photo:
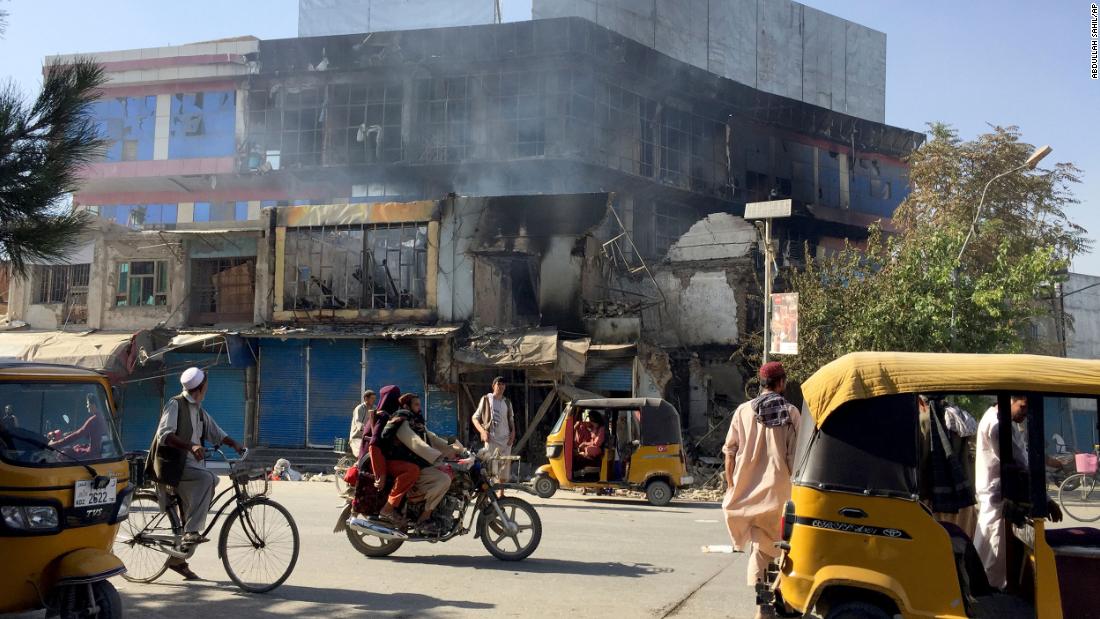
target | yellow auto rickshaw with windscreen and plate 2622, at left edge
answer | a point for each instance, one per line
(64, 488)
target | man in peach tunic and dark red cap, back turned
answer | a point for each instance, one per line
(760, 455)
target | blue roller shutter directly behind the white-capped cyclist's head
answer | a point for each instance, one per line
(225, 400)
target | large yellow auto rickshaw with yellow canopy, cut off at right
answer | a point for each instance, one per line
(861, 537)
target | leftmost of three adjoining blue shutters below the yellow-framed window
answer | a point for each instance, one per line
(283, 393)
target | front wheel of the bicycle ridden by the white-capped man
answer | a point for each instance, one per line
(259, 546)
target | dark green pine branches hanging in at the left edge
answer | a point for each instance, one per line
(43, 147)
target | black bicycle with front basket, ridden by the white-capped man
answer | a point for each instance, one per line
(258, 544)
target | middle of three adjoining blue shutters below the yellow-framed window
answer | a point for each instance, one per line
(336, 377)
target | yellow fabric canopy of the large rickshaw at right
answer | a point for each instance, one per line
(865, 375)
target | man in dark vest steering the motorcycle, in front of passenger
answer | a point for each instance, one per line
(408, 439)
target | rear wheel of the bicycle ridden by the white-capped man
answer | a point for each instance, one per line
(145, 563)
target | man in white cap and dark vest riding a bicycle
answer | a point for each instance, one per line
(184, 426)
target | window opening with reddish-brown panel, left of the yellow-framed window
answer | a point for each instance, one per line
(223, 290)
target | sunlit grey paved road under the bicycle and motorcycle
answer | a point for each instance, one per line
(599, 556)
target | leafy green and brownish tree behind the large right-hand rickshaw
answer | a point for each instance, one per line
(905, 291)
